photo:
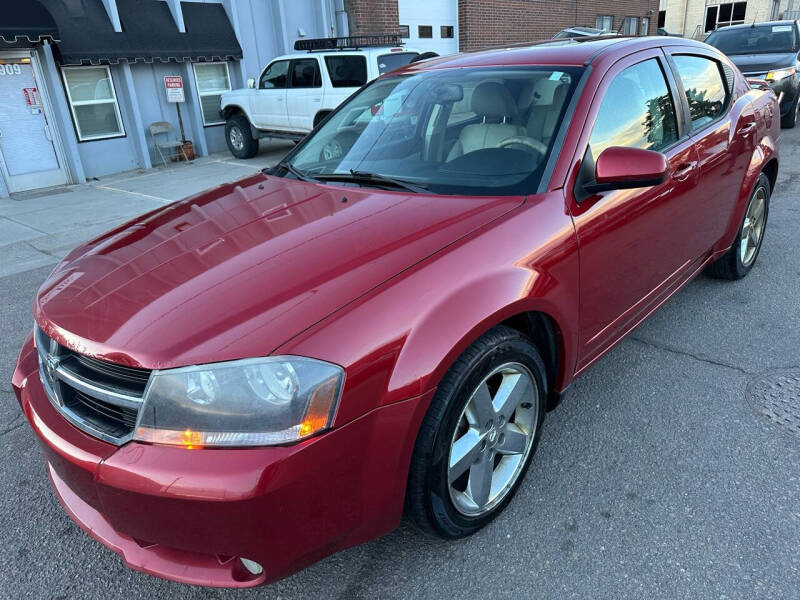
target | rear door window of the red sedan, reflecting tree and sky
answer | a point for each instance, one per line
(705, 89)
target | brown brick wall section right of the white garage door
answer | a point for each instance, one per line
(487, 23)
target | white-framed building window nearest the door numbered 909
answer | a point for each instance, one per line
(93, 103)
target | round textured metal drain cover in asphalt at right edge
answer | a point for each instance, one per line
(776, 395)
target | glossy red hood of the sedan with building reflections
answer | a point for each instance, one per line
(240, 269)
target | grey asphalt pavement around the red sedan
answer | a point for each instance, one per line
(656, 478)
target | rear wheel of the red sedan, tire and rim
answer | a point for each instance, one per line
(740, 258)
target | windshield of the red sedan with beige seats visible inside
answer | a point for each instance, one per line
(481, 131)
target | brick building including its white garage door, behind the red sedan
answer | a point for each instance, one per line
(473, 24)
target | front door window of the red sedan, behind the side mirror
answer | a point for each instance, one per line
(636, 111)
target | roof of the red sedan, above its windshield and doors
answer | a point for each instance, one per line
(564, 52)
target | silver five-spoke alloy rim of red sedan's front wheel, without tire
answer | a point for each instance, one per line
(493, 439)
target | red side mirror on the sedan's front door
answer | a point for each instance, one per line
(619, 168)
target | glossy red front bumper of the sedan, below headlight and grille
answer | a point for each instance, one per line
(189, 515)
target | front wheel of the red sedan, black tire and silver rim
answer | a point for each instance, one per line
(478, 436)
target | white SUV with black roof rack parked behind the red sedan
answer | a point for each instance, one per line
(296, 91)
